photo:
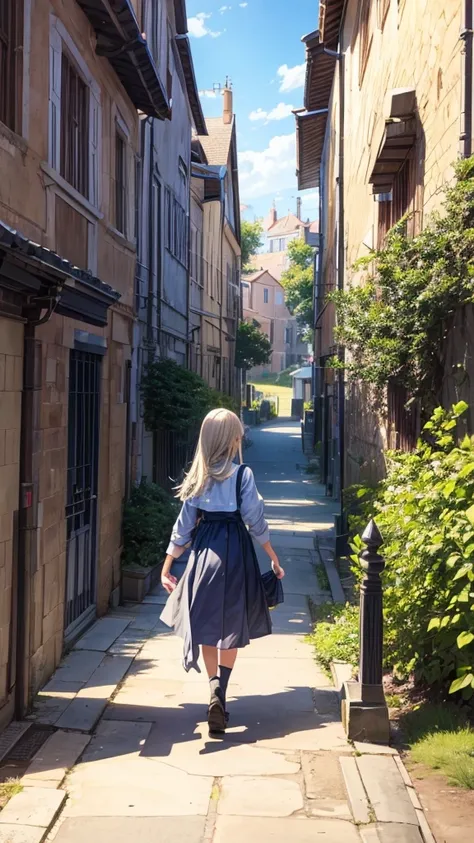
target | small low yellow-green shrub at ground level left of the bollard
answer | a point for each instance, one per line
(336, 636)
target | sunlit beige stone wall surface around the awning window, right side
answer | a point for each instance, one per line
(418, 46)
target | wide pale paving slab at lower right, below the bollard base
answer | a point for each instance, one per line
(386, 790)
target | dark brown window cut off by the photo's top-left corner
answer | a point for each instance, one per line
(11, 40)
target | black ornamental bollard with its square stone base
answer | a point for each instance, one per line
(365, 712)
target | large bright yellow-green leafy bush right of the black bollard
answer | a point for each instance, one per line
(425, 512)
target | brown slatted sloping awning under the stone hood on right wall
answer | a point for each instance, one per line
(397, 143)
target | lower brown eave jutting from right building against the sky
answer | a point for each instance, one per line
(310, 135)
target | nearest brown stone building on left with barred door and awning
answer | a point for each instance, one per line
(69, 131)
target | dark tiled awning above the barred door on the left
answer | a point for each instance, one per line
(27, 267)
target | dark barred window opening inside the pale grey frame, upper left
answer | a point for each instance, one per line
(74, 127)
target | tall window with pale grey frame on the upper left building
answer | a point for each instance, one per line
(74, 115)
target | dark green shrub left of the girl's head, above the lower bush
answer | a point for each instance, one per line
(176, 399)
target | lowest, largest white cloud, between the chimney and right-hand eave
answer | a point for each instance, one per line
(260, 172)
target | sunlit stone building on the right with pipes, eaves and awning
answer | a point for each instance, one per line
(387, 112)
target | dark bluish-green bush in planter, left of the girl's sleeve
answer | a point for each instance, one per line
(148, 519)
